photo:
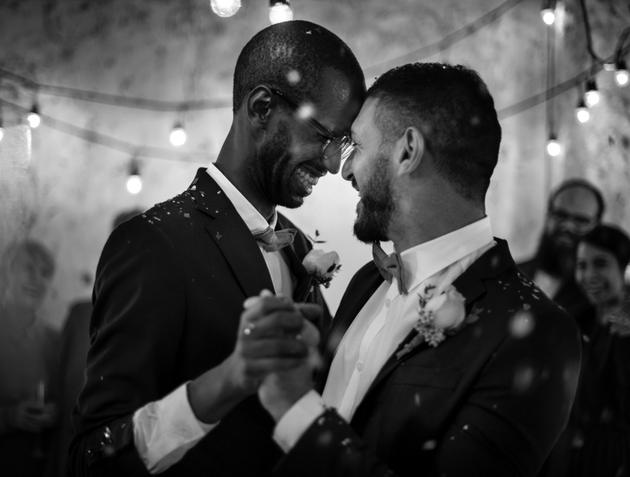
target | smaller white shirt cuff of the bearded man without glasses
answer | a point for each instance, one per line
(297, 419)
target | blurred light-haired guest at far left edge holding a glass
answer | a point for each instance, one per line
(28, 357)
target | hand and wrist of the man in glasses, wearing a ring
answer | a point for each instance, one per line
(268, 341)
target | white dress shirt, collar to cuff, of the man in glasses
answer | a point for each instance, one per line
(166, 429)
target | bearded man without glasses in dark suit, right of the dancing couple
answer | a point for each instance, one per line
(444, 360)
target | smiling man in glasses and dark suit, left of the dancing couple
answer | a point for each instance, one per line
(172, 373)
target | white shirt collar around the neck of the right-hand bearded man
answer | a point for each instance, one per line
(428, 258)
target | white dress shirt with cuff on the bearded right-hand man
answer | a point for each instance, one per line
(383, 322)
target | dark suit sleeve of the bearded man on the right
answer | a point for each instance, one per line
(506, 426)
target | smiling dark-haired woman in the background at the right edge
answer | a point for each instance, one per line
(597, 439)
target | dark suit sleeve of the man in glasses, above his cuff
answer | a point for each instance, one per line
(135, 329)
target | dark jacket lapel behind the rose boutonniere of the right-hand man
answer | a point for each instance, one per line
(470, 285)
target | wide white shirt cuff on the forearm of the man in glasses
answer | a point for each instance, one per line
(165, 430)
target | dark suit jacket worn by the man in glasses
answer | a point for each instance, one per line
(168, 297)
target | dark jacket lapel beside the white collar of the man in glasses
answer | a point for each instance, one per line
(230, 234)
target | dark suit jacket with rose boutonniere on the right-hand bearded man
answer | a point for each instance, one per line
(488, 401)
